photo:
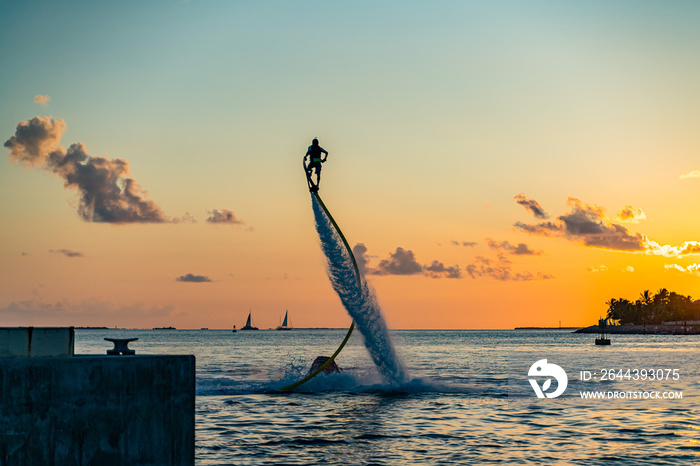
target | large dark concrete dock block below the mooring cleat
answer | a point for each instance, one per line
(97, 410)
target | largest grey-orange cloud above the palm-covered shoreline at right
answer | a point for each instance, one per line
(588, 223)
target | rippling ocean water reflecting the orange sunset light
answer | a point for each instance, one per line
(467, 398)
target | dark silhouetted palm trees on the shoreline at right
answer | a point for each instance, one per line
(650, 308)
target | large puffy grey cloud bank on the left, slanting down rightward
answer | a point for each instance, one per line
(107, 193)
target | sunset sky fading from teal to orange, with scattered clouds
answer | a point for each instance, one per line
(496, 164)
